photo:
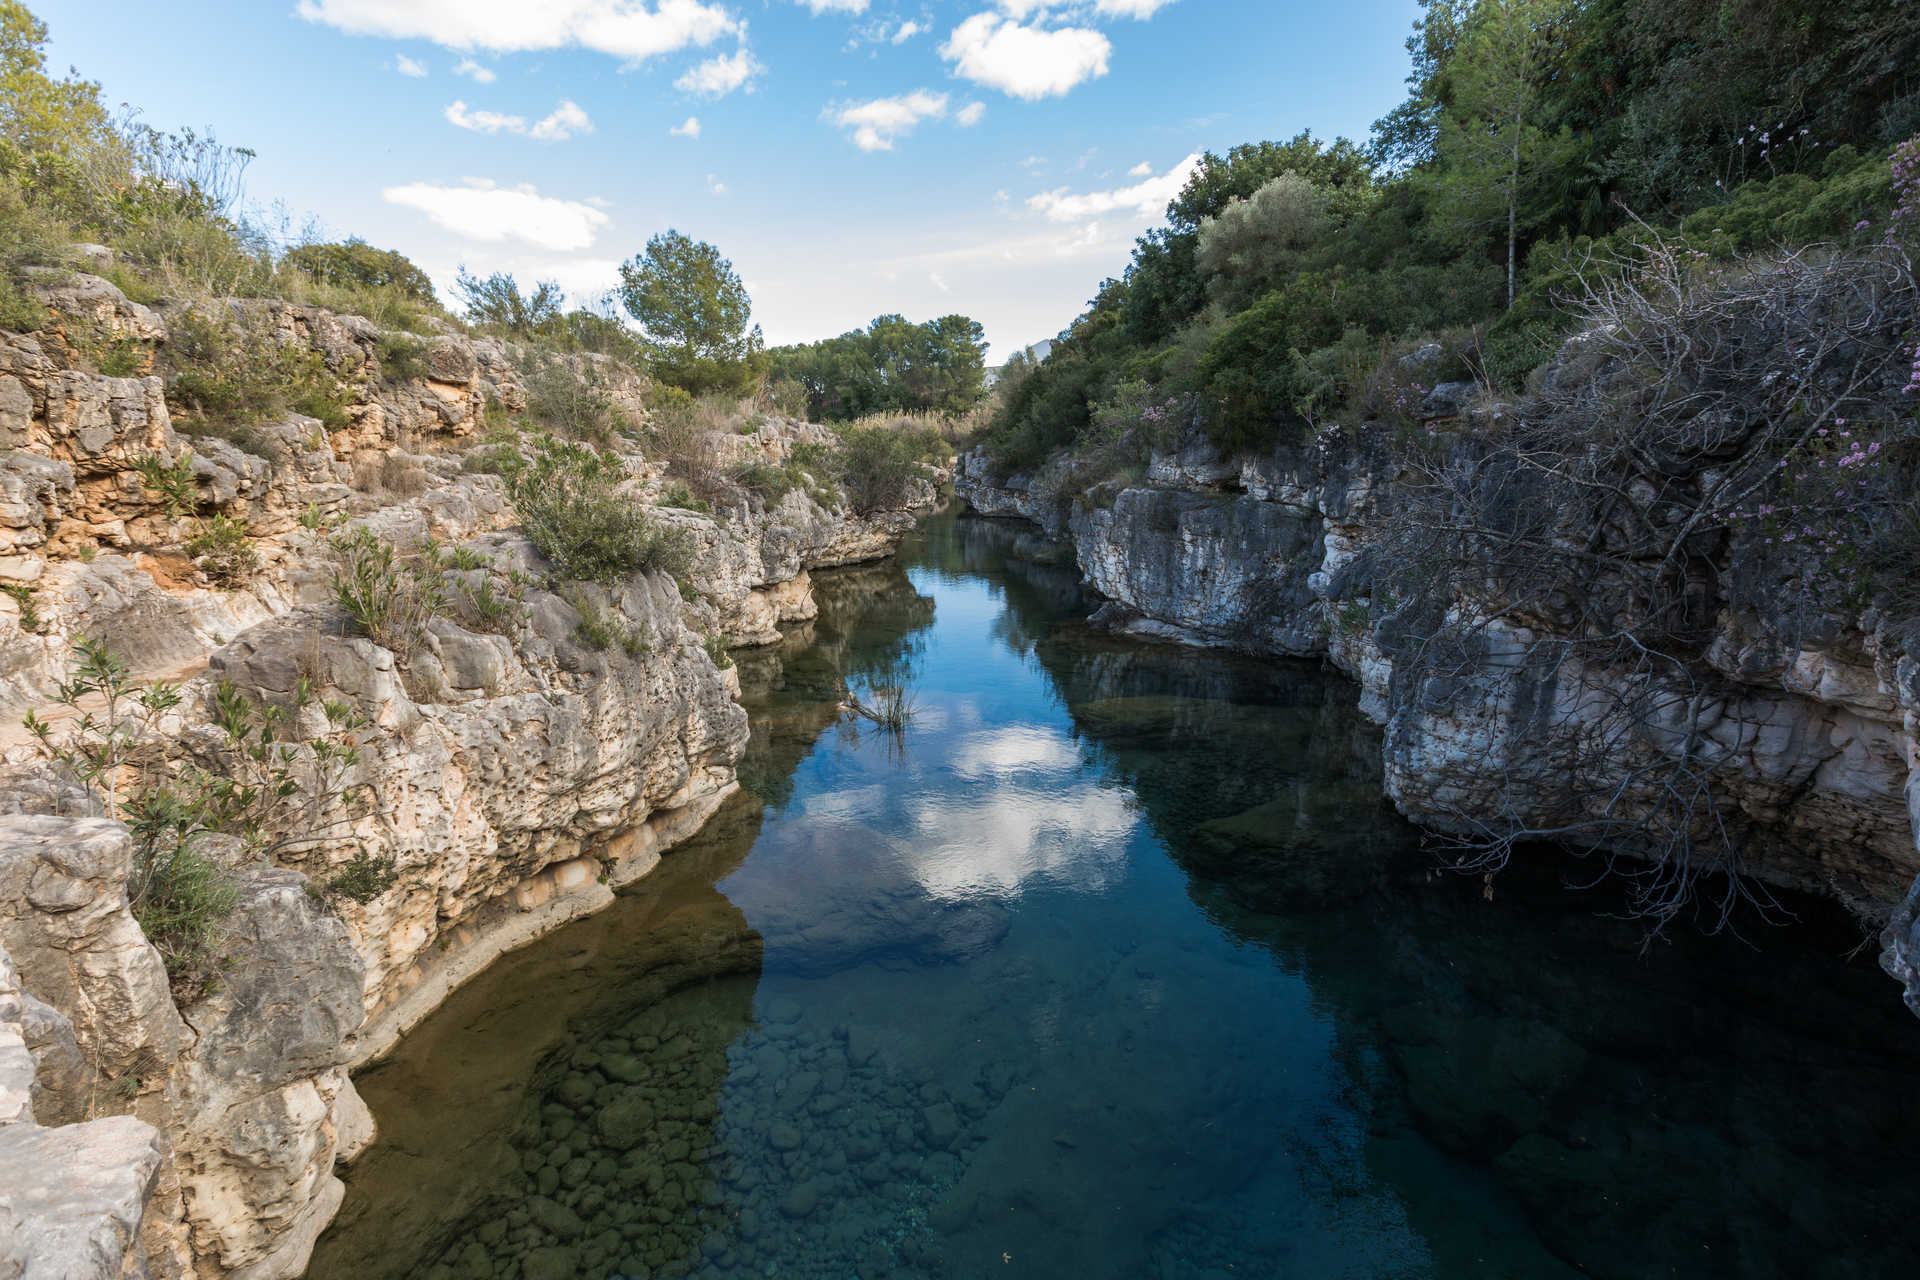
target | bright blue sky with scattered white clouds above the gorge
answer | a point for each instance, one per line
(852, 156)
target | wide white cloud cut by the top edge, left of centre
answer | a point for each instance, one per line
(627, 30)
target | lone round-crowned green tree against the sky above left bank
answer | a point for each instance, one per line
(694, 314)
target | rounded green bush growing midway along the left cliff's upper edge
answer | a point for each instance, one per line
(571, 508)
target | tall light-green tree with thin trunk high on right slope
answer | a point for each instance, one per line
(1493, 141)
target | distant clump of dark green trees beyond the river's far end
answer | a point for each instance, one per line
(888, 367)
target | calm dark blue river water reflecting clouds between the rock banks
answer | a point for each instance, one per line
(1120, 968)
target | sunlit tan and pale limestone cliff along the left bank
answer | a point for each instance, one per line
(514, 772)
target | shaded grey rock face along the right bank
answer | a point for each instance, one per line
(1817, 740)
